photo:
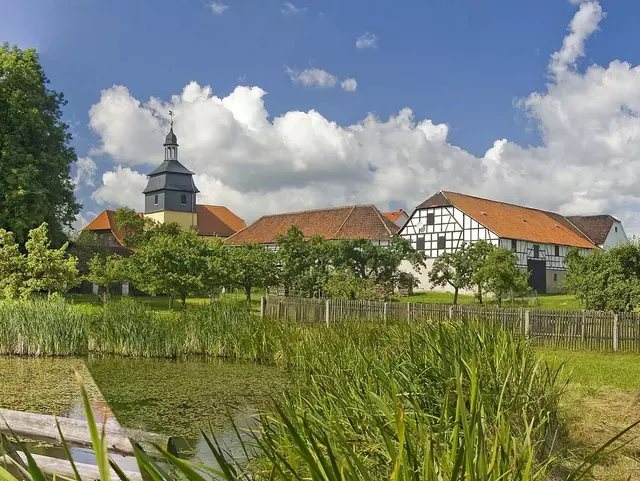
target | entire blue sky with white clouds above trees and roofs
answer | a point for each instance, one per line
(284, 106)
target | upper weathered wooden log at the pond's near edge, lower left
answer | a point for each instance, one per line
(43, 427)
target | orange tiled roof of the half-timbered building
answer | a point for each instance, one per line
(513, 221)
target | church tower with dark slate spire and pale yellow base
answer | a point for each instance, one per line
(170, 195)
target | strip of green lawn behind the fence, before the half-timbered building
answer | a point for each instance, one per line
(549, 301)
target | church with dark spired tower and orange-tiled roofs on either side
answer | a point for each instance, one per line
(170, 196)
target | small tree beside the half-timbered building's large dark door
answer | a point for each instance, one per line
(500, 274)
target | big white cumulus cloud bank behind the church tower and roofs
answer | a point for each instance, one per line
(588, 161)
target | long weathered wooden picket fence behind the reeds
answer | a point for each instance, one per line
(593, 330)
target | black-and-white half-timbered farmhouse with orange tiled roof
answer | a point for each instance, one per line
(540, 239)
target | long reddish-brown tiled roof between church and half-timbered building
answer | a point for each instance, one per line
(348, 222)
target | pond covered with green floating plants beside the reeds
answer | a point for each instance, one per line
(173, 398)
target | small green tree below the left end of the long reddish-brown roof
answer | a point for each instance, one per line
(252, 265)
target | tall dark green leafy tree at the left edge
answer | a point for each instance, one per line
(35, 156)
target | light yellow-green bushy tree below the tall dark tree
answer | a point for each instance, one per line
(47, 269)
